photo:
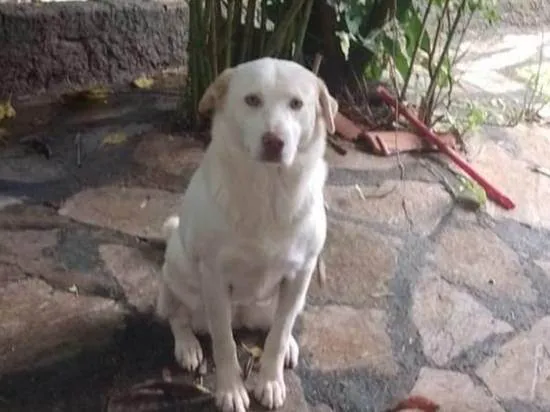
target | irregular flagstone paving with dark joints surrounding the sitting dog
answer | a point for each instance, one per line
(421, 296)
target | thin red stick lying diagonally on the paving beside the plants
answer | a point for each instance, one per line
(492, 192)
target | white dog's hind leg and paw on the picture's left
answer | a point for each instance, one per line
(187, 348)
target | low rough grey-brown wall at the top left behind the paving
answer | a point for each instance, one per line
(55, 46)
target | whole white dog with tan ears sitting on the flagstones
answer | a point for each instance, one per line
(252, 224)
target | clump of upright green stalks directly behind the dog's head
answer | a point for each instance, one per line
(210, 52)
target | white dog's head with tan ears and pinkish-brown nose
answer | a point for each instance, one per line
(275, 108)
